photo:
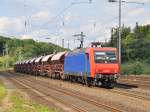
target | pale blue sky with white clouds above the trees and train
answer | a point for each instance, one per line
(61, 19)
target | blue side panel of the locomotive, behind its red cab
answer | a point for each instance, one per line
(77, 64)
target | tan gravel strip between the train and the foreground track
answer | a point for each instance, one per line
(127, 103)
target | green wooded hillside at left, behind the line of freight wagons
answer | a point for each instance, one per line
(27, 48)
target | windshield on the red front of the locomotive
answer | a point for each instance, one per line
(105, 57)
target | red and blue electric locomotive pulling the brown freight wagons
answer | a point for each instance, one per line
(94, 66)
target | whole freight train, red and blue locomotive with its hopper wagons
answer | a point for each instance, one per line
(92, 66)
